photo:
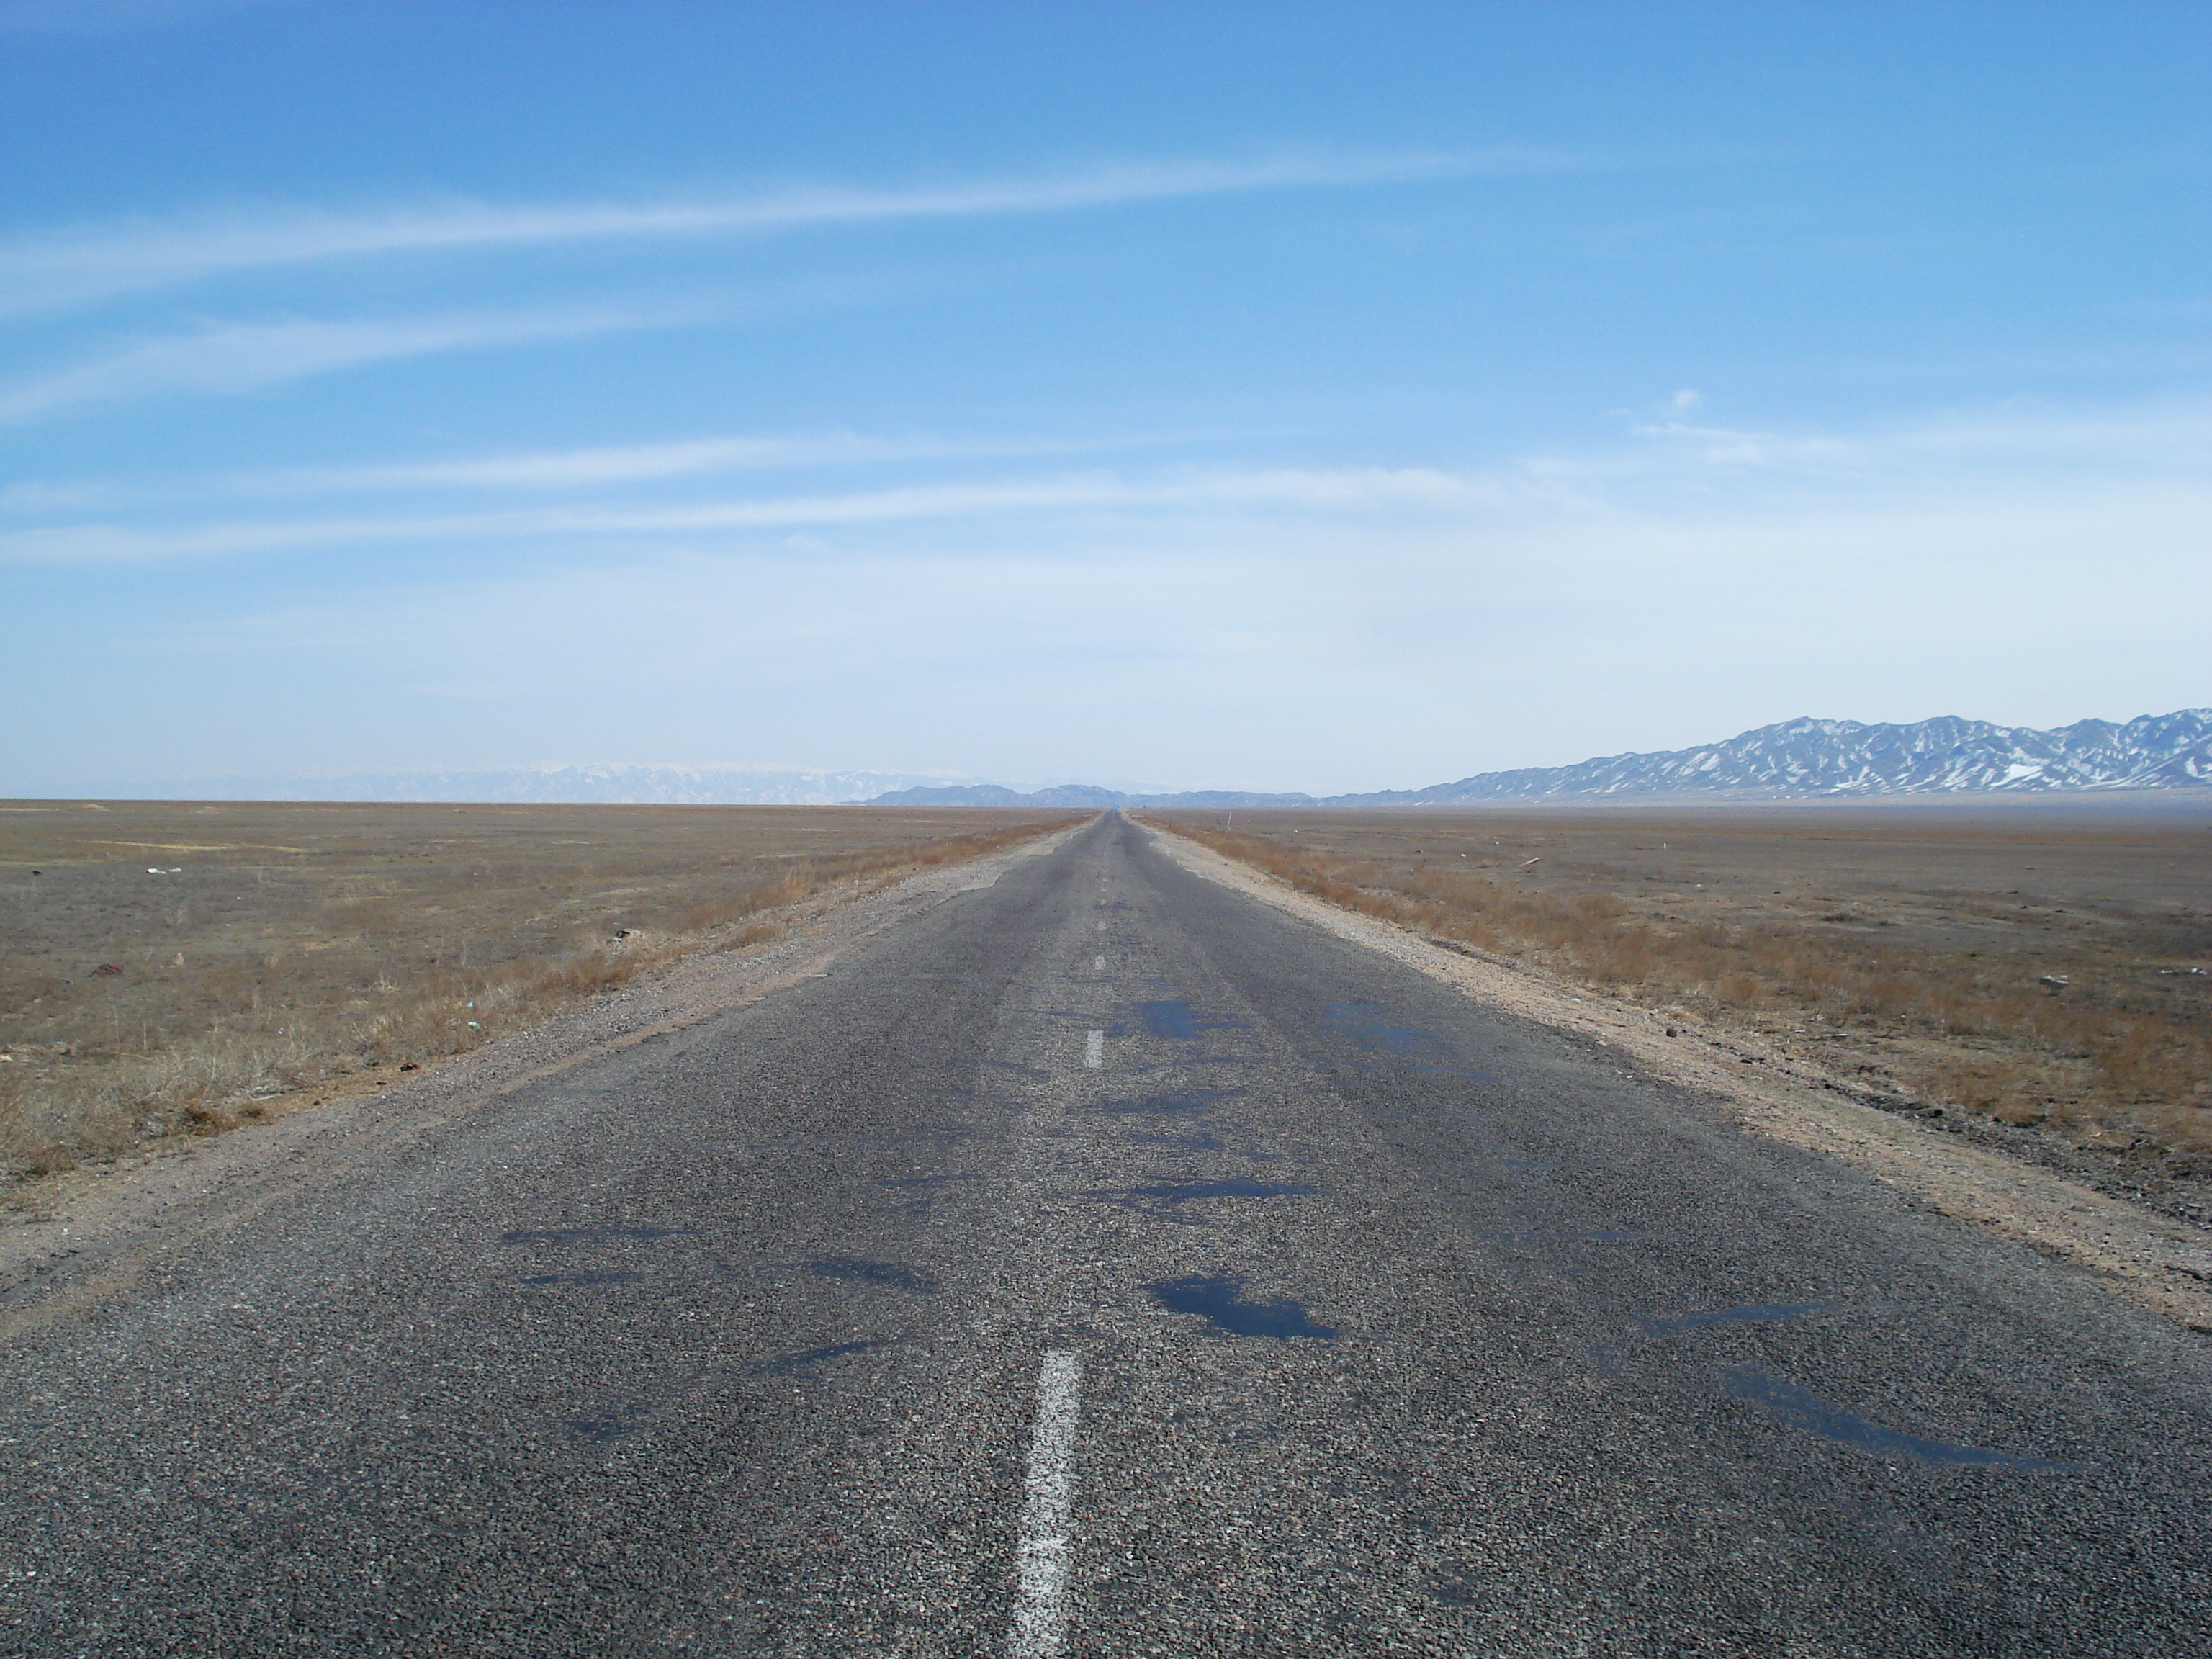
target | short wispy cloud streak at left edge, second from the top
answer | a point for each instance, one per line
(249, 357)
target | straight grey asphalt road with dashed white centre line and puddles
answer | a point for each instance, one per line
(1107, 1264)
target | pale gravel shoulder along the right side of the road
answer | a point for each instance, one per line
(2156, 1260)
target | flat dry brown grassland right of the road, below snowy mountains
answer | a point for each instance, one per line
(1903, 950)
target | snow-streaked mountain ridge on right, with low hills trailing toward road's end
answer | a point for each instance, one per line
(1804, 758)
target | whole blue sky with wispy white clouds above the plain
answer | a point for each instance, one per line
(1275, 397)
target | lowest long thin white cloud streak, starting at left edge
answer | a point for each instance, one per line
(1288, 490)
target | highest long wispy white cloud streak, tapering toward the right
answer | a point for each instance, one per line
(76, 267)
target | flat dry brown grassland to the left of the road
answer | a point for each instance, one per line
(295, 950)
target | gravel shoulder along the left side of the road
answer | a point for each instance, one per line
(98, 1231)
